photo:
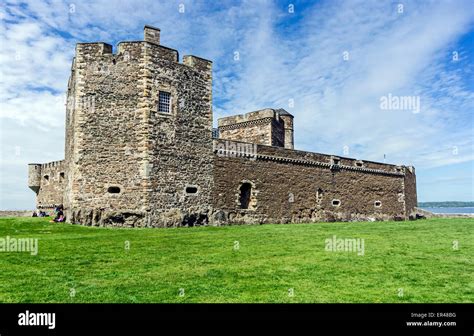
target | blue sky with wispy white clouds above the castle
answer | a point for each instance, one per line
(340, 67)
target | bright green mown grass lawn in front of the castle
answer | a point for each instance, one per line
(417, 257)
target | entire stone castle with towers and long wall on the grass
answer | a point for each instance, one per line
(141, 152)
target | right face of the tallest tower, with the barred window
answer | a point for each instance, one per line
(181, 156)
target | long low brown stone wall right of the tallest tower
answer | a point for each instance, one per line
(295, 186)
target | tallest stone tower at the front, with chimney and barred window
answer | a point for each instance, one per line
(138, 135)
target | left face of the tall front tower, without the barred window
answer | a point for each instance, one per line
(107, 134)
